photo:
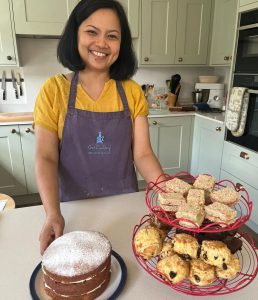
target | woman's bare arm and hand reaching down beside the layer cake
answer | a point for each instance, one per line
(47, 155)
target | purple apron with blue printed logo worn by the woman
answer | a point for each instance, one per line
(96, 151)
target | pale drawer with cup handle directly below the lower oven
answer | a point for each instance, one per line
(241, 162)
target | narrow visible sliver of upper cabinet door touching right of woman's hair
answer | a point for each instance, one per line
(132, 10)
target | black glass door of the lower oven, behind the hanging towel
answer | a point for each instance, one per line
(250, 137)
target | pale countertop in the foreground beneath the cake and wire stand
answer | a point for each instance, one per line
(19, 250)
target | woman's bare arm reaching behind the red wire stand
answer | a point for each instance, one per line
(144, 158)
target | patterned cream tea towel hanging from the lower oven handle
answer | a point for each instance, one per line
(234, 108)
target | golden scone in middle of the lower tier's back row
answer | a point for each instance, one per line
(185, 244)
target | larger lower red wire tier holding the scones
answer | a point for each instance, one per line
(248, 260)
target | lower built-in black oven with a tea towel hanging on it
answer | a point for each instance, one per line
(250, 137)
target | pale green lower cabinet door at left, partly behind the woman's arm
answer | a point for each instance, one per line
(28, 150)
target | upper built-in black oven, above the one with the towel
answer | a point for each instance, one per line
(247, 43)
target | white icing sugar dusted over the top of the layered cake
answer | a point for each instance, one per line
(76, 253)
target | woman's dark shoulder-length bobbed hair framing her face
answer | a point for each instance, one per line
(67, 51)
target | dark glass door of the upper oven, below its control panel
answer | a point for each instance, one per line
(247, 50)
